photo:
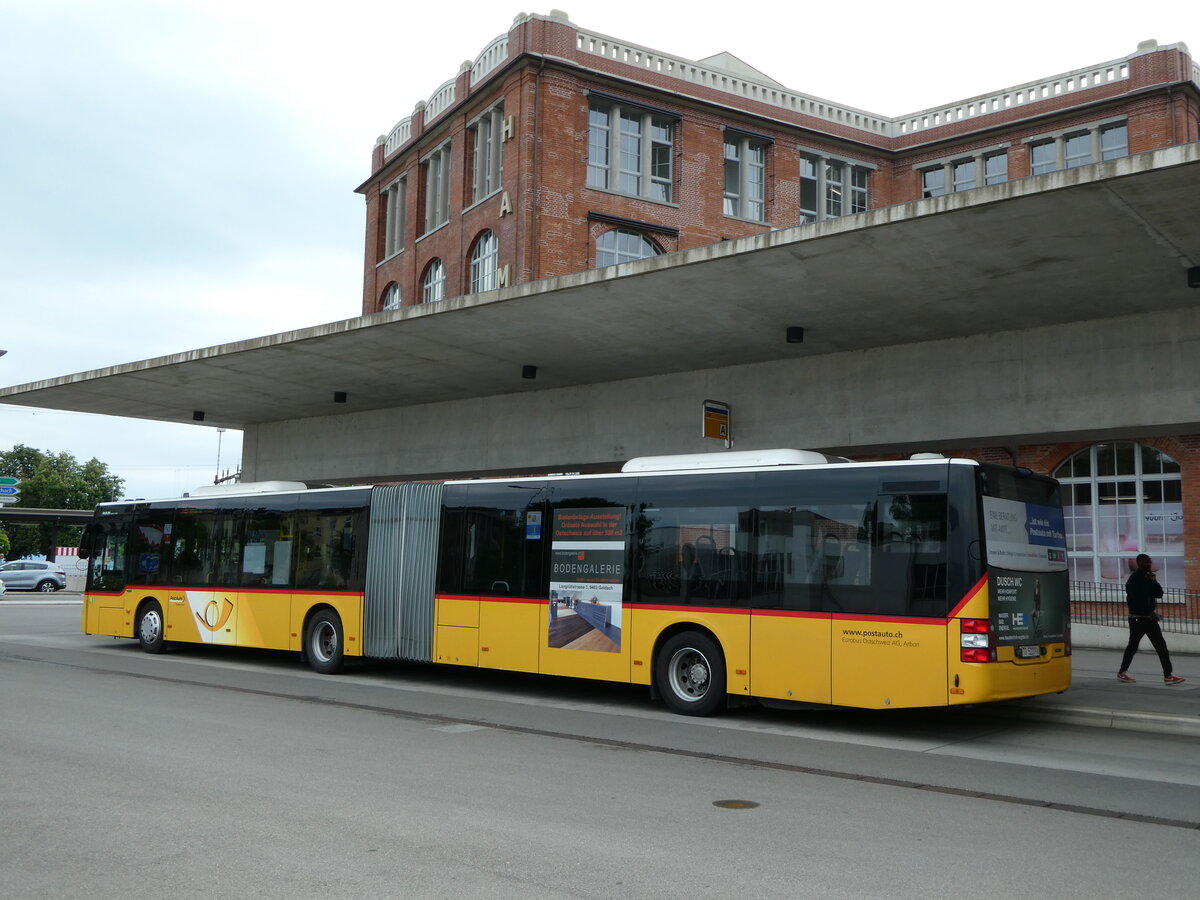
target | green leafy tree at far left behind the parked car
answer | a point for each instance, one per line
(53, 482)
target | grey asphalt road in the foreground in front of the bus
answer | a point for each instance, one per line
(215, 773)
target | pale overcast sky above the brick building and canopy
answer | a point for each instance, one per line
(179, 175)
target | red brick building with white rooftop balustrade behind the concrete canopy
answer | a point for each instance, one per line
(562, 151)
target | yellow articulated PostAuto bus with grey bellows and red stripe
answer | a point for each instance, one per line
(779, 575)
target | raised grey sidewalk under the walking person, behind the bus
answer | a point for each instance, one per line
(1099, 700)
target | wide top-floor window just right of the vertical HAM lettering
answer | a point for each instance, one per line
(631, 151)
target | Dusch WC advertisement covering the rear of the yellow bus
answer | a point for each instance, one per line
(1027, 572)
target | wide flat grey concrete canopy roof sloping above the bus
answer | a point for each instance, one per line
(1094, 243)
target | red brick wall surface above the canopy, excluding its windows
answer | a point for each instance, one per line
(544, 83)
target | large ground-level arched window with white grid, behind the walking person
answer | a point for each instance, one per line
(1121, 500)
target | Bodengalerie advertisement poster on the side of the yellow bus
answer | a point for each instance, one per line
(587, 579)
